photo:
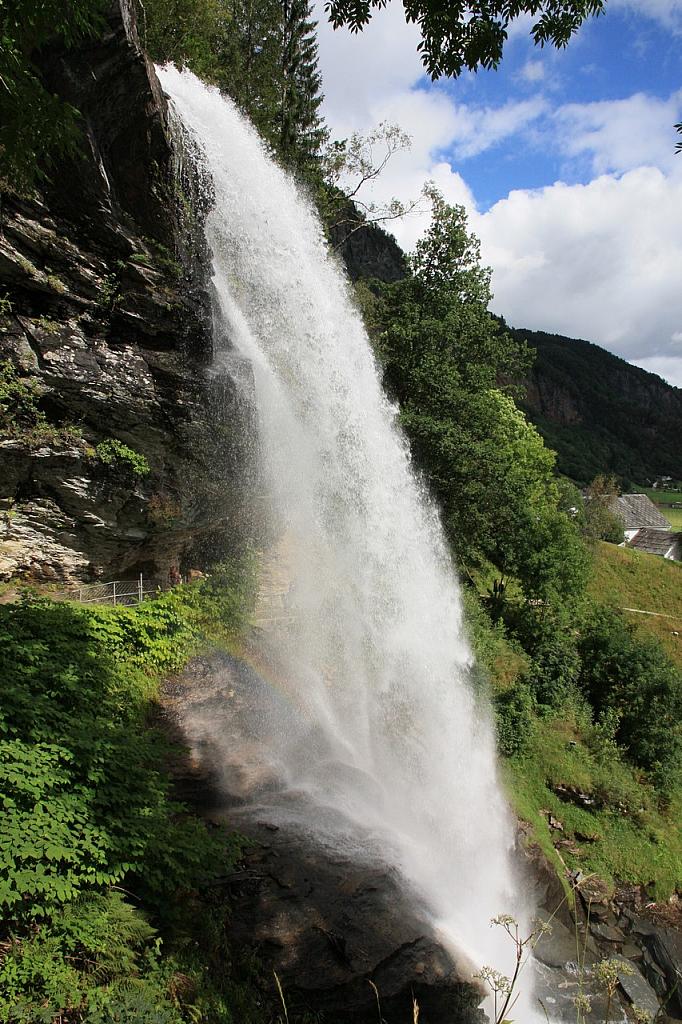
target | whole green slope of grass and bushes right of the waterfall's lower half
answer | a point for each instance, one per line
(588, 715)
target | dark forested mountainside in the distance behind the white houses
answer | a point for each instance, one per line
(601, 414)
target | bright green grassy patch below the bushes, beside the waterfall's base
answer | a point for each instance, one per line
(613, 824)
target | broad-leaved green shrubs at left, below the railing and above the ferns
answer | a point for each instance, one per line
(86, 798)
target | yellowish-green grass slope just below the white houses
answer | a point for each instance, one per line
(629, 579)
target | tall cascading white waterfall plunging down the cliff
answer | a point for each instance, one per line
(391, 742)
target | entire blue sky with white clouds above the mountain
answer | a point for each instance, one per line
(565, 161)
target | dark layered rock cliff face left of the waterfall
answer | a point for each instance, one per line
(106, 345)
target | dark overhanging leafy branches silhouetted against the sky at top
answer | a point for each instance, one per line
(459, 34)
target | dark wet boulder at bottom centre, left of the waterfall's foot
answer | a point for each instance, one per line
(329, 926)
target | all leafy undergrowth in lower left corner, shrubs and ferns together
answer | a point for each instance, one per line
(97, 860)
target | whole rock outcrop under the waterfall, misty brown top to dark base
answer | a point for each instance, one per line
(328, 916)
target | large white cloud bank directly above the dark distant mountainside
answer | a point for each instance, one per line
(600, 262)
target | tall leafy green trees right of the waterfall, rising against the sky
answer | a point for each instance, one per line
(452, 367)
